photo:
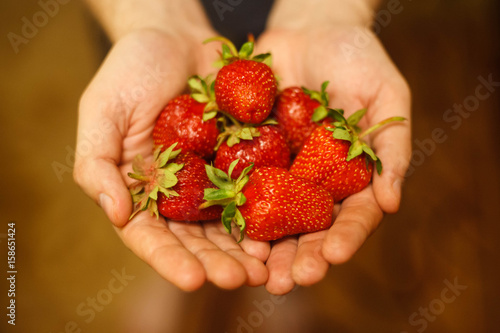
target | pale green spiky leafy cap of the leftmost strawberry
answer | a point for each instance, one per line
(151, 178)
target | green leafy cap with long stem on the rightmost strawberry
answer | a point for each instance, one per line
(348, 129)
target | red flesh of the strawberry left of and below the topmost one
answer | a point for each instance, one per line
(182, 121)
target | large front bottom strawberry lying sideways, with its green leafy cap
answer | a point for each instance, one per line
(269, 204)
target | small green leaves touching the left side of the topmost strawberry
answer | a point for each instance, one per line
(202, 91)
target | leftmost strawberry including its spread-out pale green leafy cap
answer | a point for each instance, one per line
(172, 185)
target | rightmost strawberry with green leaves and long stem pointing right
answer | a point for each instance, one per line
(340, 162)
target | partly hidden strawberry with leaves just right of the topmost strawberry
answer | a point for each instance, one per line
(294, 110)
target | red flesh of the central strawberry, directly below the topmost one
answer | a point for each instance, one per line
(266, 147)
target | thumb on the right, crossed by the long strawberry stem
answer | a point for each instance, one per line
(392, 143)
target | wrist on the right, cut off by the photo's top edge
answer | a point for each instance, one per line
(299, 15)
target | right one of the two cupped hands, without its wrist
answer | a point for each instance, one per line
(360, 77)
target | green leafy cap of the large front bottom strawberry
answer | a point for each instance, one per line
(228, 194)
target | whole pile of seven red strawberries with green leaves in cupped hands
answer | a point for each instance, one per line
(225, 151)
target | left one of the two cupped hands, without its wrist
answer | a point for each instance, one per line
(143, 71)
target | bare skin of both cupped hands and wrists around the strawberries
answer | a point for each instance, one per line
(156, 47)
